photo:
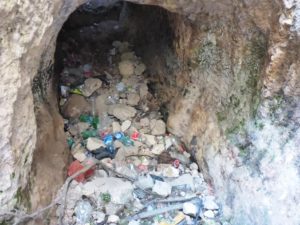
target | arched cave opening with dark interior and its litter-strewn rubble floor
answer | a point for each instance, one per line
(113, 63)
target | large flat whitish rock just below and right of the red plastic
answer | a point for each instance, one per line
(120, 191)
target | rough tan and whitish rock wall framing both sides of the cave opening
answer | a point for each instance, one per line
(236, 89)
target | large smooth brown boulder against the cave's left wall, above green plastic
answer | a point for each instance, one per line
(75, 106)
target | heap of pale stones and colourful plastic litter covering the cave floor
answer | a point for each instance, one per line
(114, 118)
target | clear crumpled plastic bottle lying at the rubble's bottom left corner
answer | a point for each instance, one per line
(83, 211)
